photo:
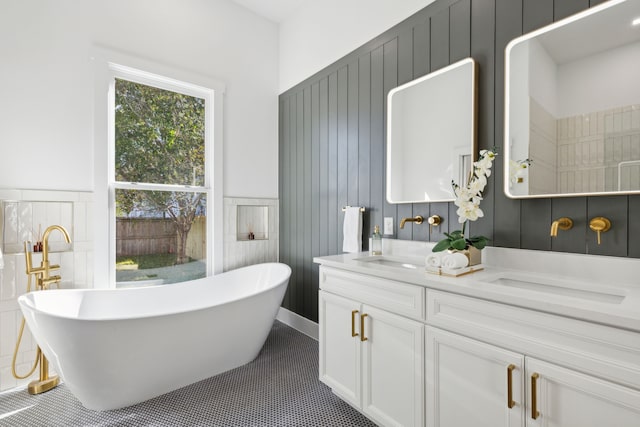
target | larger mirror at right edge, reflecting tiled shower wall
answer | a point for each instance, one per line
(572, 106)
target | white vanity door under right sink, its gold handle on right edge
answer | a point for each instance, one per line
(470, 383)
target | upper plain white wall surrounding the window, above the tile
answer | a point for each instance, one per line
(46, 82)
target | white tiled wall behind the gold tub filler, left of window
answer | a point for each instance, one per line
(23, 215)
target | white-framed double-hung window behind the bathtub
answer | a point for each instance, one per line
(160, 175)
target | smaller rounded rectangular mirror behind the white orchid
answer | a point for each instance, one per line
(431, 134)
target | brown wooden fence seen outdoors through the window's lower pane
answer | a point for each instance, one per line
(142, 236)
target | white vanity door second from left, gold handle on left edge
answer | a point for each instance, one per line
(392, 369)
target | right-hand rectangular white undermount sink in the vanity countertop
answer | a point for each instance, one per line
(547, 285)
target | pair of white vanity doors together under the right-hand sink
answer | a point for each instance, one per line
(473, 383)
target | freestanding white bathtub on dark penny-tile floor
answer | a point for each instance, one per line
(115, 348)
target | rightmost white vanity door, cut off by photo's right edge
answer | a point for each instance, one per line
(564, 397)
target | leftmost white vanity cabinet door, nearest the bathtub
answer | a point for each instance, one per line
(339, 349)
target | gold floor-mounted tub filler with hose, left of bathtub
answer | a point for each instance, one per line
(44, 280)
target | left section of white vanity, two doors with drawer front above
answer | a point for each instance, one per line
(371, 357)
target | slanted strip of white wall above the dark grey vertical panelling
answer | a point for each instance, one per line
(326, 31)
